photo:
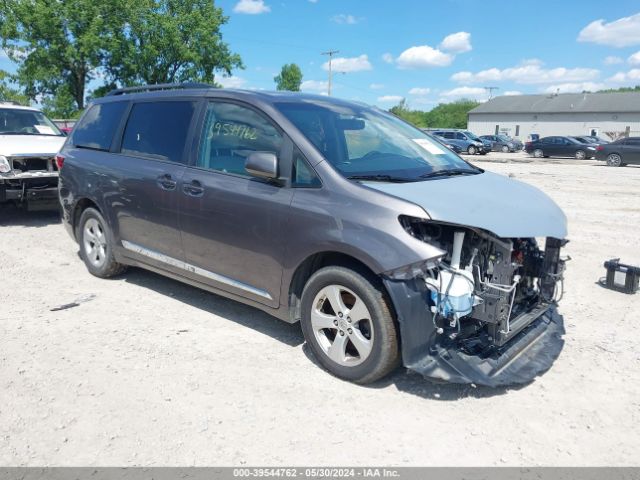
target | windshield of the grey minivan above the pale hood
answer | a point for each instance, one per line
(367, 144)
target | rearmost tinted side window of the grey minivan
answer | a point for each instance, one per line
(98, 126)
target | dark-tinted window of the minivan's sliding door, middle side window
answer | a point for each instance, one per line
(158, 129)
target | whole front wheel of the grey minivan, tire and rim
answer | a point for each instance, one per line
(348, 324)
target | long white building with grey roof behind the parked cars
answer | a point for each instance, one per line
(609, 115)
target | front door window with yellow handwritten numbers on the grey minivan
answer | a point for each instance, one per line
(231, 132)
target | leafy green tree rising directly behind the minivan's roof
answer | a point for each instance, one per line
(166, 41)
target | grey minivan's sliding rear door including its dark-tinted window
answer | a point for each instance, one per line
(148, 170)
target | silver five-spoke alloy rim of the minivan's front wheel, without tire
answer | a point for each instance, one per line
(342, 325)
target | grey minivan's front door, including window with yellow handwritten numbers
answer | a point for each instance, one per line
(234, 226)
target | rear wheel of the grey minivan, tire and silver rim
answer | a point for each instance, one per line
(96, 245)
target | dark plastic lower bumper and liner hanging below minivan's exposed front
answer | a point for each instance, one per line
(528, 353)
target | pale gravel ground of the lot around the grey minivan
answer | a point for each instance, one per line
(148, 371)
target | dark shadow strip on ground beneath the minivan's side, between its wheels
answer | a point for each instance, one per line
(231, 310)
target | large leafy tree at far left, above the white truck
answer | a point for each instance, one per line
(58, 44)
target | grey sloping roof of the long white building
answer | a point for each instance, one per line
(624, 102)
